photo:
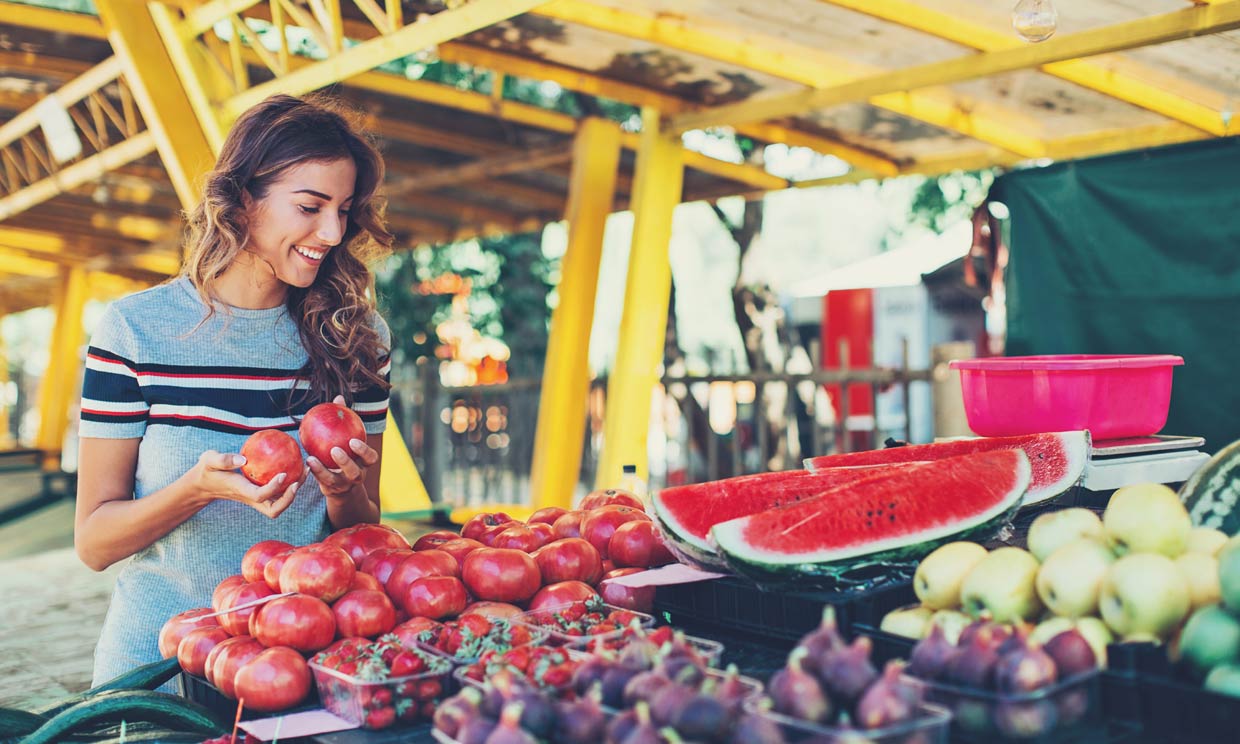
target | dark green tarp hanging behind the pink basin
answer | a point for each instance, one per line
(1135, 254)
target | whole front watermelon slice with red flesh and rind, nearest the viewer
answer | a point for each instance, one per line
(897, 519)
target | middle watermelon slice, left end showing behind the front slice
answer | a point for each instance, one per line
(686, 514)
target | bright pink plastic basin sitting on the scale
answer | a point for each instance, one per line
(1113, 396)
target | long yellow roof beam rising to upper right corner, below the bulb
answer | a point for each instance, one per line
(1153, 30)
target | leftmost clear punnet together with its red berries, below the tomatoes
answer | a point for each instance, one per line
(376, 684)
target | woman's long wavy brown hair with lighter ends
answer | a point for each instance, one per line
(334, 316)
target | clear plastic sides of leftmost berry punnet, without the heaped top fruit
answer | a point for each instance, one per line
(381, 705)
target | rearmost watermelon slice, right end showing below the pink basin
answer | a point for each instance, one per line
(1058, 459)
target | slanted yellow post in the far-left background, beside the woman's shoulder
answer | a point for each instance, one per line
(60, 380)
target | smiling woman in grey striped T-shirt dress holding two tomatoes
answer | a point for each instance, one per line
(271, 316)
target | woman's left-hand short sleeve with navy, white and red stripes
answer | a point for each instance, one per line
(113, 406)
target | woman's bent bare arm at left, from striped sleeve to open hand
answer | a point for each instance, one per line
(110, 525)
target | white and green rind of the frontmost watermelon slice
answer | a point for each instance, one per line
(777, 570)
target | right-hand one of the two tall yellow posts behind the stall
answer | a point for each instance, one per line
(644, 322)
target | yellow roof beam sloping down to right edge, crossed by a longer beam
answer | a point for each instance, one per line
(1093, 75)
